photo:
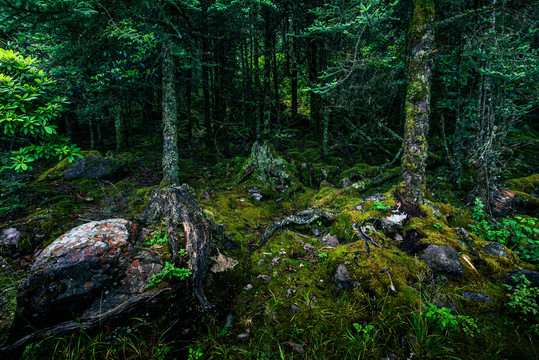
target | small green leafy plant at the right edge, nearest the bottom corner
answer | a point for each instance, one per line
(522, 297)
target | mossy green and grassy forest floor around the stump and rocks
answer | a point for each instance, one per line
(288, 298)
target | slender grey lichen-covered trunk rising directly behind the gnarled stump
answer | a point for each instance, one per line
(170, 131)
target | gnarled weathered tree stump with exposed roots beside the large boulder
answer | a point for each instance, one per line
(176, 207)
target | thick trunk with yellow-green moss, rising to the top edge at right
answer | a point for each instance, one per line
(417, 102)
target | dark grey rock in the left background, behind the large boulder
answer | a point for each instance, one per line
(96, 166)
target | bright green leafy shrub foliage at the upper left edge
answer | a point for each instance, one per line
(28, 110)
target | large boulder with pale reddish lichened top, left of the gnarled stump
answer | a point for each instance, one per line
(85, 272)
